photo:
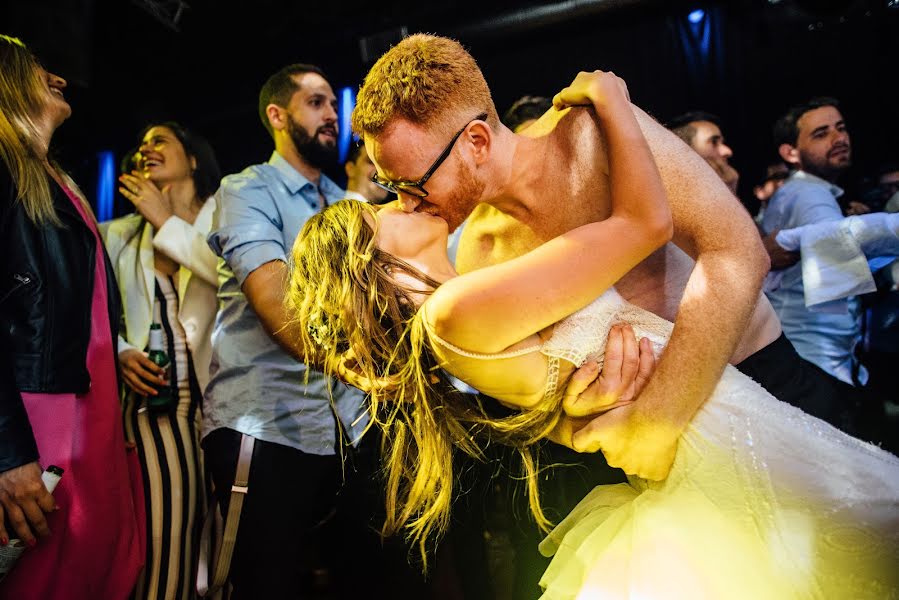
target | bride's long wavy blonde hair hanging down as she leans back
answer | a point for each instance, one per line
(352, 311)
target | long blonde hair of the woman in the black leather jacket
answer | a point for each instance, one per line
(21, 93)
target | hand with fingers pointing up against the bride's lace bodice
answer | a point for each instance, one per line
(628, 365)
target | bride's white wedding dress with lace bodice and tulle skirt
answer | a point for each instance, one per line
(763, 501)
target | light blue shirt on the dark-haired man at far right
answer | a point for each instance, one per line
(823, 338)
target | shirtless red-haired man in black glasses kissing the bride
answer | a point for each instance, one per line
(522, 190)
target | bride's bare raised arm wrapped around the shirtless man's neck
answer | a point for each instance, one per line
(490, 309)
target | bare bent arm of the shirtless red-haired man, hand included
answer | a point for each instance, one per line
(713, 227)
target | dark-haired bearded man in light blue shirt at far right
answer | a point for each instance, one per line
(813, 138)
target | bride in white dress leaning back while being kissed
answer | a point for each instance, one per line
(762, 501)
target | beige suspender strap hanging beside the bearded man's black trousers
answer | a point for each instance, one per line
(225, 544)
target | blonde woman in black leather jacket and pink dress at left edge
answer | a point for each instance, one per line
(59, 391)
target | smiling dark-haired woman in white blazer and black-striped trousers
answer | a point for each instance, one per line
(166, 274)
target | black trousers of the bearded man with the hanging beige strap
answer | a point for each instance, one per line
(308, 524)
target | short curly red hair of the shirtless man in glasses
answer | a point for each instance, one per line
(427, 80)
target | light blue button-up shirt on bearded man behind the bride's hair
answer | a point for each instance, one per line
(255, 387)
